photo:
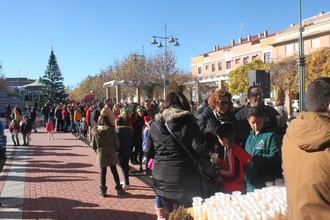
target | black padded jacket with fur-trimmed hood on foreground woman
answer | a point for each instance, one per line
(174, 175)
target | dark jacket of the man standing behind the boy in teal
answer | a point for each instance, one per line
(243, 127)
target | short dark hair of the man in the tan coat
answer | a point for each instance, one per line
(318, 95)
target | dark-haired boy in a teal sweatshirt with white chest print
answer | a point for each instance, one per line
(263, 146)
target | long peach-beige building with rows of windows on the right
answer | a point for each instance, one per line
(211, 68)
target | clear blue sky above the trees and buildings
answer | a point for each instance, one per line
(89, 35)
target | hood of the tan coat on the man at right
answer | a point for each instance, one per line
(310, 131)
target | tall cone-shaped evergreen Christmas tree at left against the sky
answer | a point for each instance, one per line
(54, 91)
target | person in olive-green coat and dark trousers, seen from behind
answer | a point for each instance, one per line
(105, 145)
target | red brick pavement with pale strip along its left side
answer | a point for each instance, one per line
(58, 179)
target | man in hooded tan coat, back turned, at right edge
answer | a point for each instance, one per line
(306, 156)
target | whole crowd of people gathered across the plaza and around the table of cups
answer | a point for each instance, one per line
(177, 144)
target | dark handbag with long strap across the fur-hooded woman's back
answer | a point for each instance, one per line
(209, 181)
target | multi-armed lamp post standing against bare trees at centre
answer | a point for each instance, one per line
(167, 39)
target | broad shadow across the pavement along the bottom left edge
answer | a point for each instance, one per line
(59, 208)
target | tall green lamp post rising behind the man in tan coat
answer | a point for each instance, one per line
(301, 63)
